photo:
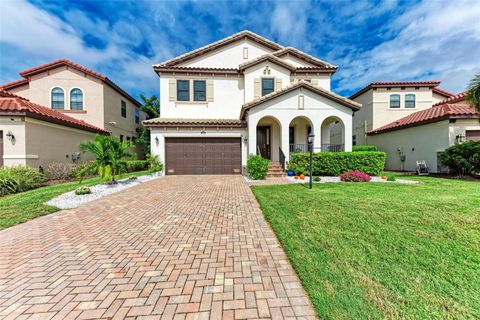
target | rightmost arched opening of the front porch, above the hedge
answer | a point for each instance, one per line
(333, 135)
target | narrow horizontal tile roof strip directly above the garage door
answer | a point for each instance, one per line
(179, 122)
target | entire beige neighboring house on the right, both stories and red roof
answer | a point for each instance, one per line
(412, 121)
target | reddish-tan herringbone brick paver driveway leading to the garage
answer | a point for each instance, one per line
(185, 247)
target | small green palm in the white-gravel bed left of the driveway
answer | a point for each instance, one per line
(109, 153)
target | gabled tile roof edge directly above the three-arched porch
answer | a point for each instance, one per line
(328, 94)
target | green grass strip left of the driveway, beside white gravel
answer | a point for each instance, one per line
(21, 207)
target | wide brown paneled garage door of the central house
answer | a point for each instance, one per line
(203, 155)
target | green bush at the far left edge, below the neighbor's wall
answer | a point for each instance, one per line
(19, 179)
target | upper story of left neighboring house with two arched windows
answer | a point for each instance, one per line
(83, 94)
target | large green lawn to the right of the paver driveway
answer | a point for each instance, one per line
(382, 251)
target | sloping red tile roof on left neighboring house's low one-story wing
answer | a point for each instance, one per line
(12, 104)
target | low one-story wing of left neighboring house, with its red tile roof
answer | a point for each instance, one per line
(34, 135)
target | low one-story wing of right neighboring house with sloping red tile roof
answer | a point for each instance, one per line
(425, 134)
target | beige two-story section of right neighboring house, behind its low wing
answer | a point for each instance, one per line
(384, 102)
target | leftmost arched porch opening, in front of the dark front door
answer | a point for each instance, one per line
(269, 138)
